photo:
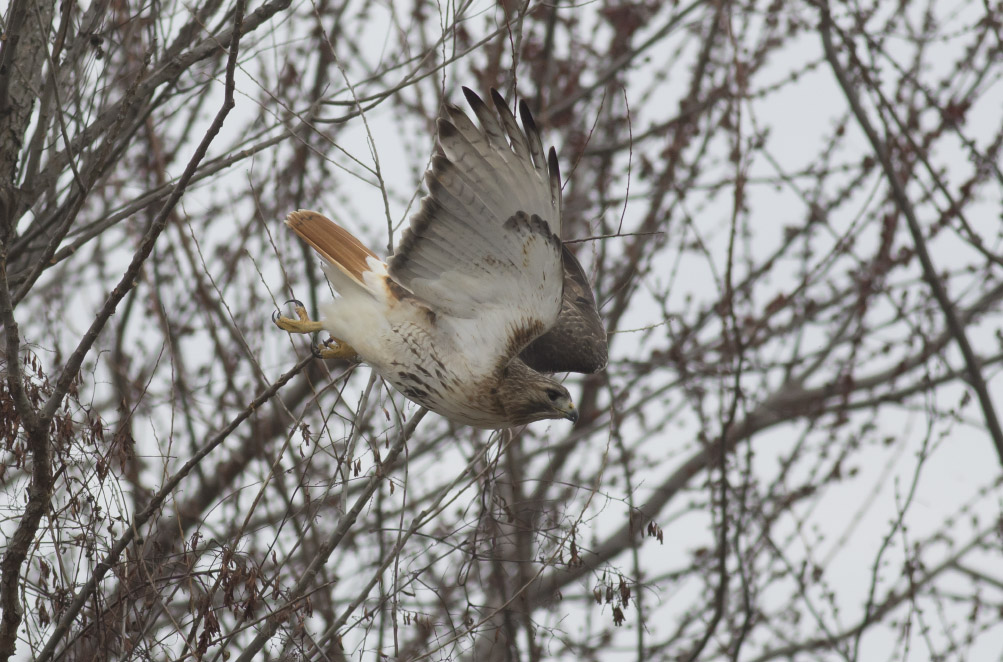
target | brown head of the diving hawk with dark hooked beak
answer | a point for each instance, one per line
(528, 396)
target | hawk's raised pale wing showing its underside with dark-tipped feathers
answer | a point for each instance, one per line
(485, 247)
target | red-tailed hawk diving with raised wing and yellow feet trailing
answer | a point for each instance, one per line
(482, 297)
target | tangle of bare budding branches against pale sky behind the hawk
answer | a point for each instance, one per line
(175, 520)
